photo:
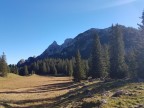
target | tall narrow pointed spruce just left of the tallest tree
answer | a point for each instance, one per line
(96, 59)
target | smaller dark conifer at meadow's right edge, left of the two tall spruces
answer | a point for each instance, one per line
(79, 71)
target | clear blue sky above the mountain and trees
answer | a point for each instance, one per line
(28, 27)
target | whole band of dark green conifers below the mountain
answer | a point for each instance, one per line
(106, 61)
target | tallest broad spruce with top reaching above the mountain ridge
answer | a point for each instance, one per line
(118, 67)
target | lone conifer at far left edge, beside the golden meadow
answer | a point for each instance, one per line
(3, 66)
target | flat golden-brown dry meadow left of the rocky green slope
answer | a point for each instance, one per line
(17, 91)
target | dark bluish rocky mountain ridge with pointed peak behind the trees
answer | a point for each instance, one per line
(83, 42)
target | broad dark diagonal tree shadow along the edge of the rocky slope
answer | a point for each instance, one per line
(79, 94)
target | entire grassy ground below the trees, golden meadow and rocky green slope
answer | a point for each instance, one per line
(60, 92)
